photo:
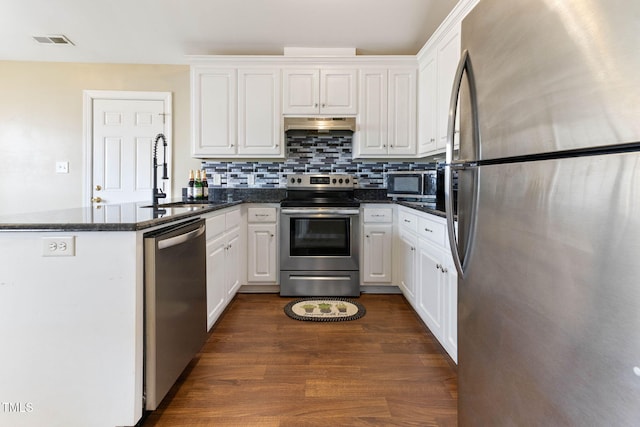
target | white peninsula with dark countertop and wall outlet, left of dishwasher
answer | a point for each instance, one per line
(71, 306)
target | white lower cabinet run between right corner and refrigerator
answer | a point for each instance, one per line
(427, 276)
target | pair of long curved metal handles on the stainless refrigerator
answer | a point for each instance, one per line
(463, 66)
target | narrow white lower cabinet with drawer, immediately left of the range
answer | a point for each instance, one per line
(262, 245)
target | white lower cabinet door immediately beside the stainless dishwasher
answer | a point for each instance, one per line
(216, 286)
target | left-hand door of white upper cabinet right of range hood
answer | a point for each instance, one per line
(371, 138)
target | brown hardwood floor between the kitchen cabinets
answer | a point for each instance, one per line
(261, 368)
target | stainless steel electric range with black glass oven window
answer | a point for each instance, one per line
(320, 231)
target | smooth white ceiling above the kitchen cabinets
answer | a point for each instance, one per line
(165, 31)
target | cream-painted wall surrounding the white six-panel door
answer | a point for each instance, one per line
(41, 123)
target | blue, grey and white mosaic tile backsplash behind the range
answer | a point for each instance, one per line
(308, 153)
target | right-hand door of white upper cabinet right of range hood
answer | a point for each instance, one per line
(402, 112)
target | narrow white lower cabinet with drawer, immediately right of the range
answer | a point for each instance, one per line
(377, 241)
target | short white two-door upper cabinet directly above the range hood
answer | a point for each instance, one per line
(320, 91)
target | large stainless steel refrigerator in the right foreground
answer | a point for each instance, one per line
(548, 213)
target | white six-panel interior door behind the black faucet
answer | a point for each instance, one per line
(123, 136)
